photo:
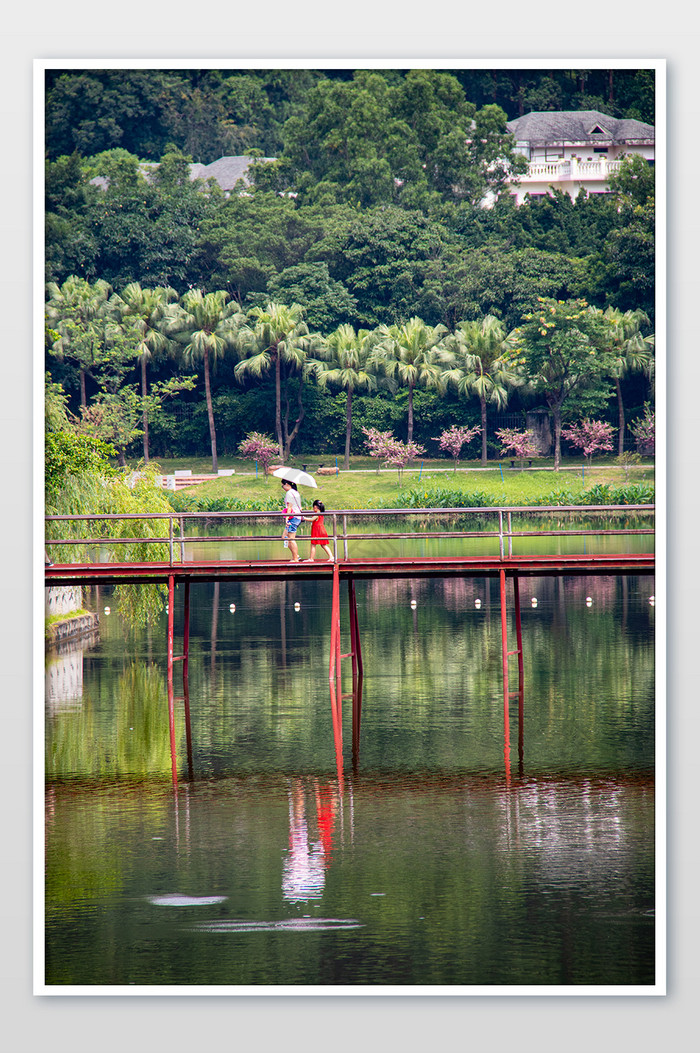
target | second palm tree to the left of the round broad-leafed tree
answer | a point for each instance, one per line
(415, 355)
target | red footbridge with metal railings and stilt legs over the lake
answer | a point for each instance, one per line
(451, 524)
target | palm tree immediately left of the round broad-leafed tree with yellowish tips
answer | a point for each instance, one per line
(482, 369)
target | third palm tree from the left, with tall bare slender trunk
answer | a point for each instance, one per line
(207, 326)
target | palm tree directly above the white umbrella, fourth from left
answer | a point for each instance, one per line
(278, 341)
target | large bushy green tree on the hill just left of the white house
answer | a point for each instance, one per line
(386, 138)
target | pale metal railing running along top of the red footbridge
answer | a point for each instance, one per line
(346, 528)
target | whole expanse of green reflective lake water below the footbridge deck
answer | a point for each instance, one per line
(441, 855)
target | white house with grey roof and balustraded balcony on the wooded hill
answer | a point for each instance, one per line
(575, 150)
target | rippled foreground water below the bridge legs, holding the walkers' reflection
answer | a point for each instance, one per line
(431, 880)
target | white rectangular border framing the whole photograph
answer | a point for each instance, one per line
(659, 66)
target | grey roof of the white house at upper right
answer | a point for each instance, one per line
(578, 127)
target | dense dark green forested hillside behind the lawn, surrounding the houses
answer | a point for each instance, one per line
(366, 208)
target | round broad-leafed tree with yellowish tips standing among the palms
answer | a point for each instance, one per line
(558, 350)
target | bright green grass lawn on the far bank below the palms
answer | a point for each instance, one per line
(364, 487)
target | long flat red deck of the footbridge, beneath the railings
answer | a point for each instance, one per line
(114, 573)
